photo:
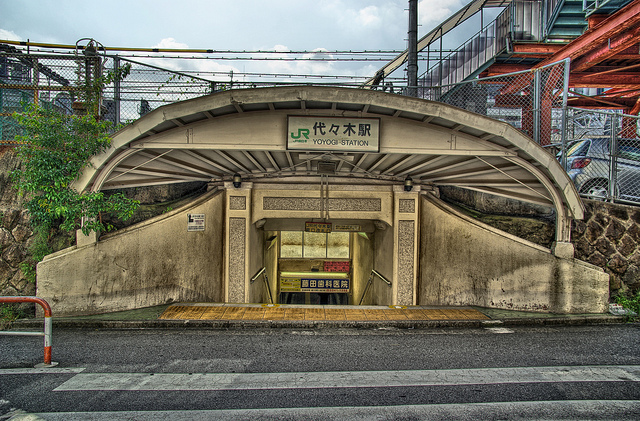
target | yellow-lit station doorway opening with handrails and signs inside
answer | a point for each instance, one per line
(320, 268)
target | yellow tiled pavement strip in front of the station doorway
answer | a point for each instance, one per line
(316, 313)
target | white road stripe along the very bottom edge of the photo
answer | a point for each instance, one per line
(583, 409)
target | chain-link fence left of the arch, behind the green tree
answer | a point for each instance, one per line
(59, 82)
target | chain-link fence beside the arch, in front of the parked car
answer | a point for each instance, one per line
(599, 150)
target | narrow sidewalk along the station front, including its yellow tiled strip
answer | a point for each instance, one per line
(247, 316)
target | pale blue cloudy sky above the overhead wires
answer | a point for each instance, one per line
(282, 25)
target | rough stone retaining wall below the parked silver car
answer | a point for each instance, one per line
(608, 237)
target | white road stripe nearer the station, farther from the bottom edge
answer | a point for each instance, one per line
(347, 379)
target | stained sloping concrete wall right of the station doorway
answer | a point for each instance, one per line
(466, 263)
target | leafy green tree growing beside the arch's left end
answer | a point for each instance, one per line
(55, 148)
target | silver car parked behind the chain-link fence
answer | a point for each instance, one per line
(589, 164)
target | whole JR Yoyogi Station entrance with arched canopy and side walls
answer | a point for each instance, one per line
(324, 196)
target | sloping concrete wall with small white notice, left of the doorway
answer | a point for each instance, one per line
(151, 263)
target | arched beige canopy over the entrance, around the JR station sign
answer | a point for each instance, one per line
(244, 131)
